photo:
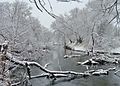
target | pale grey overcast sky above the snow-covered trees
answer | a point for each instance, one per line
(58, 8)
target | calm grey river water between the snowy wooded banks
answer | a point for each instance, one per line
(59, 63)
